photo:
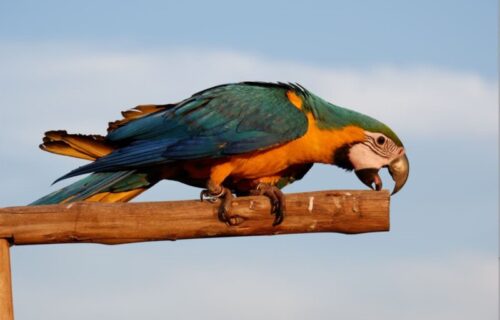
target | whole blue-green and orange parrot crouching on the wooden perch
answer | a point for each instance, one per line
(235, 139)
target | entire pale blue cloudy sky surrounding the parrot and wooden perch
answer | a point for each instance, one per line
(427, 68)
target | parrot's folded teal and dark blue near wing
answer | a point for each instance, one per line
(221, 121)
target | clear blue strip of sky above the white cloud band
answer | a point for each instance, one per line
(452, 34)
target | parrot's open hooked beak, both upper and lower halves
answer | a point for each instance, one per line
(399, 169)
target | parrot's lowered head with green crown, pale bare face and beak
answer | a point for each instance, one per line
(365, 144)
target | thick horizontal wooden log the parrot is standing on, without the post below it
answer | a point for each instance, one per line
(324, 211)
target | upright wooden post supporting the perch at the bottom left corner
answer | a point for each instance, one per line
(6, 309)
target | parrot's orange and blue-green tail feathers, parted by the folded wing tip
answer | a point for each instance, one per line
(120, 186)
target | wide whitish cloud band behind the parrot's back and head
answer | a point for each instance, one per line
(80, 88)
